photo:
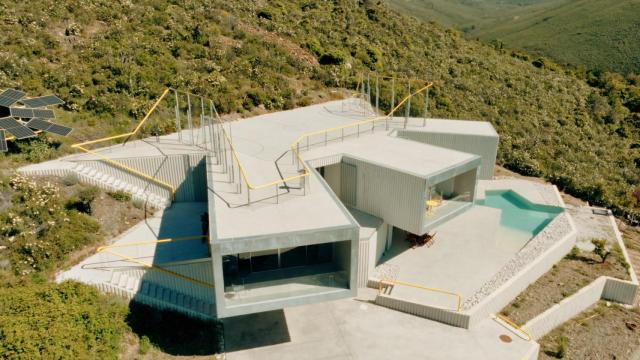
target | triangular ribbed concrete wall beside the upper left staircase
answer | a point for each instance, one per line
(186, 172)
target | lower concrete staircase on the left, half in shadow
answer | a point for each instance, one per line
(131, 284)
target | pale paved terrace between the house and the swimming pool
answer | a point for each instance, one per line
(468, 250)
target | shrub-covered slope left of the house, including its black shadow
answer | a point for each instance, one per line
(40, 227)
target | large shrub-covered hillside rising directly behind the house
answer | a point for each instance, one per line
(109, 60)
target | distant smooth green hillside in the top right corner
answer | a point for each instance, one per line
(597, 33)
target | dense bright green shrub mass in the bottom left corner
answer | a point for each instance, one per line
(59, 321)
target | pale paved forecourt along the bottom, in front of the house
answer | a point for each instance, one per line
(357, 329)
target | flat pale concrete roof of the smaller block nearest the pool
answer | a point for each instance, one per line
(406, 156)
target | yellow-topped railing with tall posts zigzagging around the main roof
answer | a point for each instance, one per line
(201, 117)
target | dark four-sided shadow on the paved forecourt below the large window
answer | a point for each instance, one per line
(255, 330)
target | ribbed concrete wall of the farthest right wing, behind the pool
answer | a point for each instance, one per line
(484, 146)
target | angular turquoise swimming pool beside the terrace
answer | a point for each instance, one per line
(520, 219)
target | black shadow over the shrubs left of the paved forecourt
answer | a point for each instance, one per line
(174, 333)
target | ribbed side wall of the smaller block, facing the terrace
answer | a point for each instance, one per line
(396, 197)
